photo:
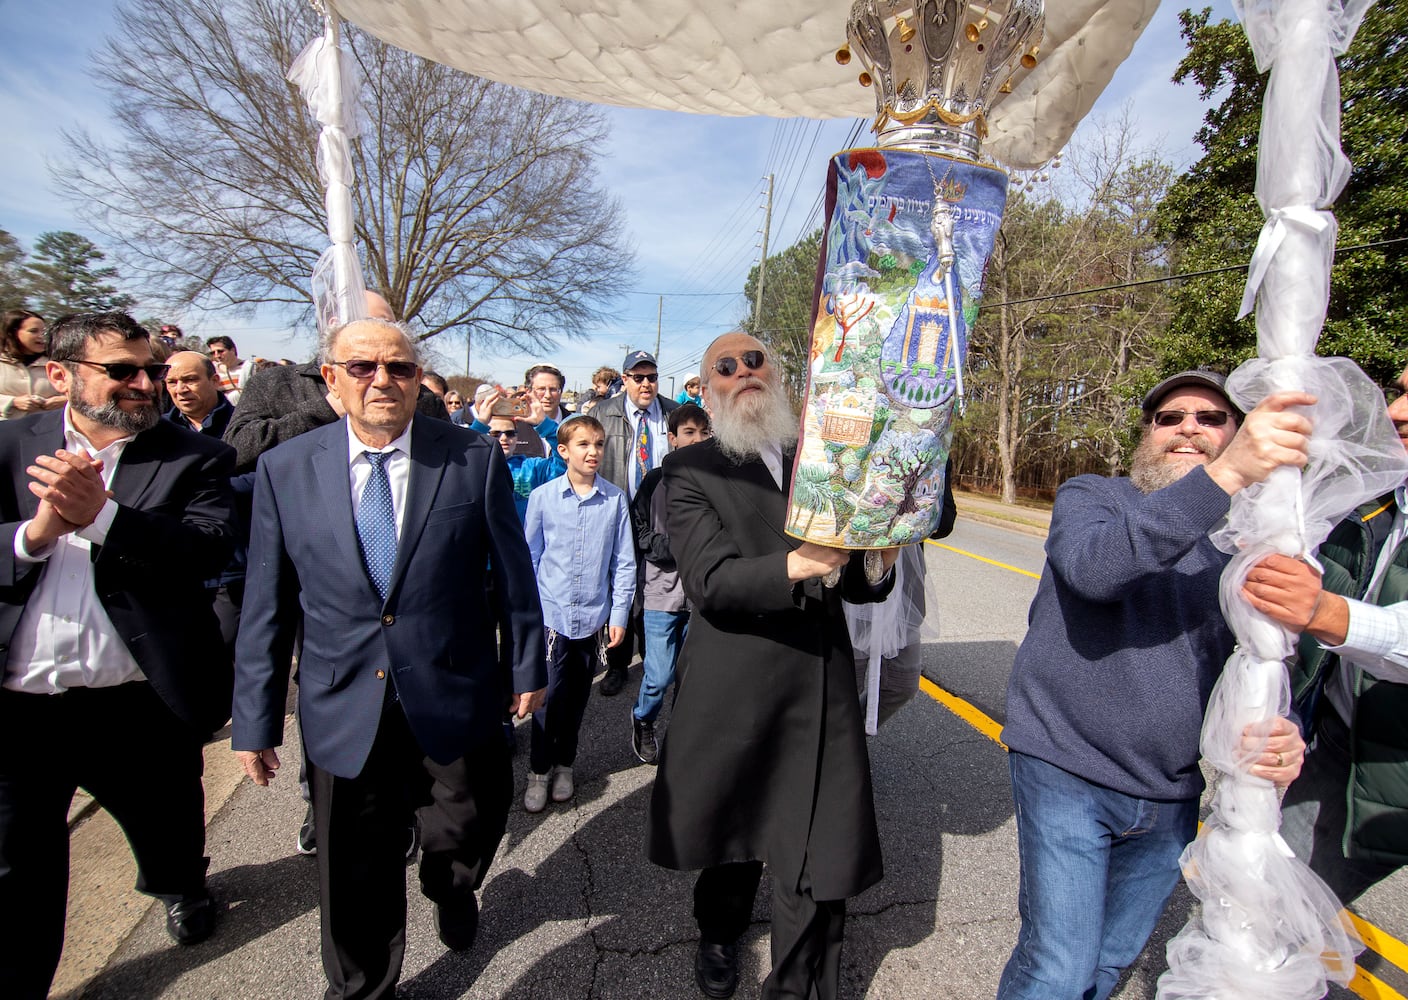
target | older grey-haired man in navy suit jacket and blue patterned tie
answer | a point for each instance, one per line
(382, 527)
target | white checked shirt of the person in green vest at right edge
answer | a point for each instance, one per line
(1378, 637)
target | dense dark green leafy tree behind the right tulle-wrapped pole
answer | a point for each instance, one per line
(1213, 219)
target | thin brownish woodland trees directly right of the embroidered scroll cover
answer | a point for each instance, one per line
(1054, 374)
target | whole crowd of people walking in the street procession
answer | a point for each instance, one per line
(326, 515)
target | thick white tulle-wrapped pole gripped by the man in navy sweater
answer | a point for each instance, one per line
(1268, 926)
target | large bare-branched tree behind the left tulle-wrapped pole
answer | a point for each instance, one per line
(477, 206)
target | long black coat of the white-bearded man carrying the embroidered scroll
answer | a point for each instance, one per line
(767, 694)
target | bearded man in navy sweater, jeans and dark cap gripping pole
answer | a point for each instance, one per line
(1106, 701)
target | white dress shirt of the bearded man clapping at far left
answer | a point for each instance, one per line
(65, 639)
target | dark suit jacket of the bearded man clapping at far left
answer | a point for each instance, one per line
(174, 530)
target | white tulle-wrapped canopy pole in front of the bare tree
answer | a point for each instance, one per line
(332, 87)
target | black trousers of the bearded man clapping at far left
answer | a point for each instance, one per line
(139, 761)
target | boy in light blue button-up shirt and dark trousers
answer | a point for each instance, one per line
(579, 535)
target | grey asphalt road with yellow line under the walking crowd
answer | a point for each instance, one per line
(572, 911)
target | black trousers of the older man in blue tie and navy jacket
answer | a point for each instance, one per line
(361, 822)
